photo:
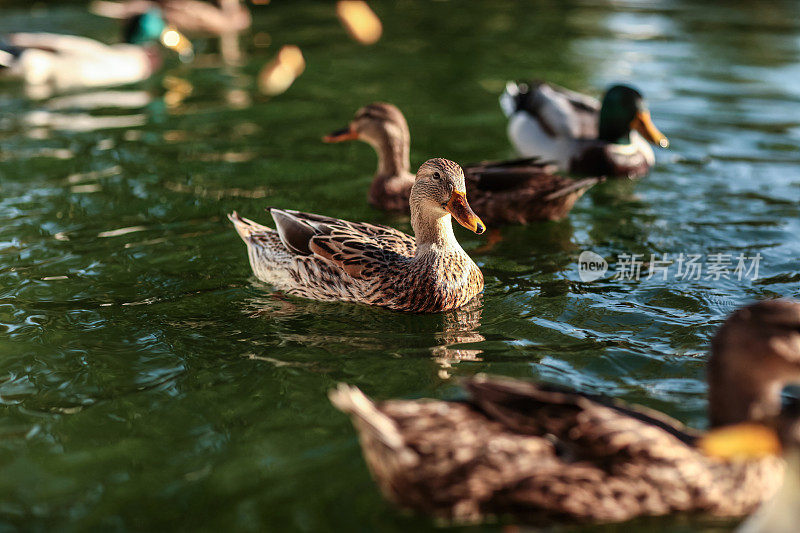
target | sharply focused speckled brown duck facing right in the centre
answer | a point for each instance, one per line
(329, 259)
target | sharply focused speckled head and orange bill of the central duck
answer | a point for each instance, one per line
(438, 193)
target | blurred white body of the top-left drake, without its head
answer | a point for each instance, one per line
(72, 62)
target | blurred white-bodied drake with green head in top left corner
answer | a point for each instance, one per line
(66, 62)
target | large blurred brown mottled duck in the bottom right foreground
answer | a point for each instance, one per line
(542, 452)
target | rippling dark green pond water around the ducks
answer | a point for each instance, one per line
(149, 382)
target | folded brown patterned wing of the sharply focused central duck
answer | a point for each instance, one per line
(360, 249)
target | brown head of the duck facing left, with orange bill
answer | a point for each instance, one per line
(383, 127)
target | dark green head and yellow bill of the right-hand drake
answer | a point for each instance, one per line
(623, 110)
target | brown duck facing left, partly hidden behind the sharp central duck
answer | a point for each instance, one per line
(501, 192)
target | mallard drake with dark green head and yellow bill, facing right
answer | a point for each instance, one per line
(579, 133)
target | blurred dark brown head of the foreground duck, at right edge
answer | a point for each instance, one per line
(754, 355)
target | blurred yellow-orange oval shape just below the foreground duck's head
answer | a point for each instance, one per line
(741, 442)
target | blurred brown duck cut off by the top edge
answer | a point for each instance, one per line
(190, 16)
